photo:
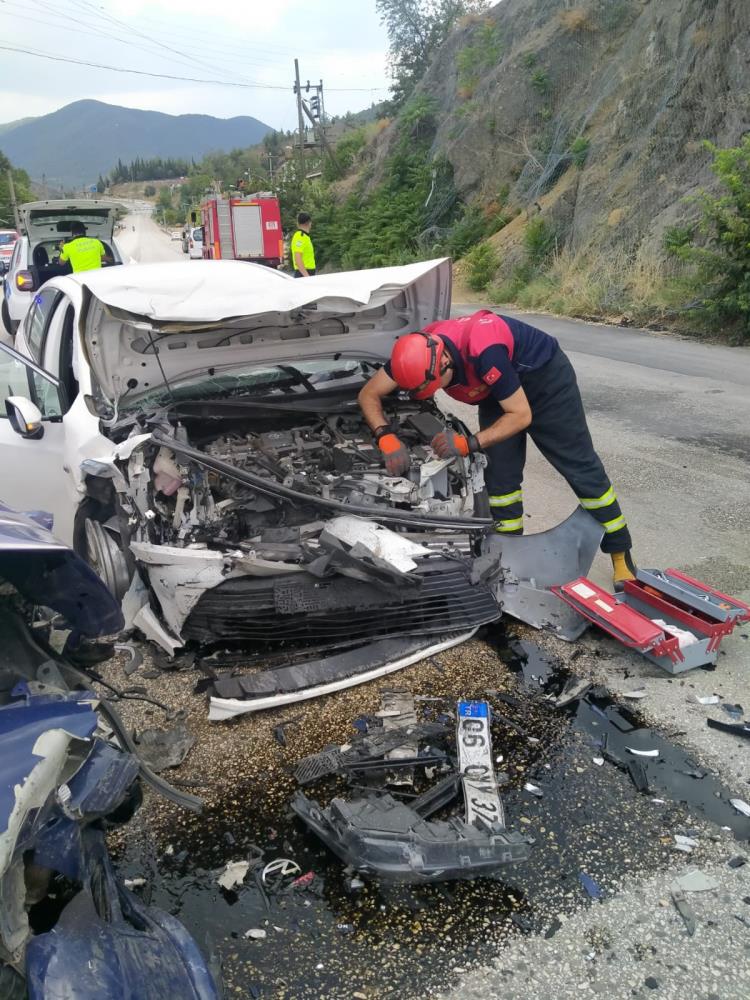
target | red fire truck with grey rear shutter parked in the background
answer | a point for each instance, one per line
(243, 228)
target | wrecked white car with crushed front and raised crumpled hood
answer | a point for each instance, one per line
(195, 434)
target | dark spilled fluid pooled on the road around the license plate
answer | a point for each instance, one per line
(340, 936)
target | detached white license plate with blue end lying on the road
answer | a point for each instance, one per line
(483, 806)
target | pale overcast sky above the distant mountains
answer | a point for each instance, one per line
(252, 42)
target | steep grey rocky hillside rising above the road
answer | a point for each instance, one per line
(574, 129)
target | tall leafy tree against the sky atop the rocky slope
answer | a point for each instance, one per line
(416, 29)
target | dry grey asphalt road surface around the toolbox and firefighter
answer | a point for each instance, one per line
(670, 419)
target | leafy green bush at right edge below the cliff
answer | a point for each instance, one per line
(723, 261)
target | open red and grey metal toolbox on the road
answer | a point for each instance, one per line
(673, 620)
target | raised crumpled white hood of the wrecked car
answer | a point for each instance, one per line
(145, 323)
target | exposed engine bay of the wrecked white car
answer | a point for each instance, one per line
(182, 502)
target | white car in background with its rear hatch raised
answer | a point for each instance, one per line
(44, 225)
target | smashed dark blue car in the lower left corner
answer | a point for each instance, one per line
(68, 773)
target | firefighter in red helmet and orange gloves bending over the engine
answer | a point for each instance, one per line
(522, 382)
